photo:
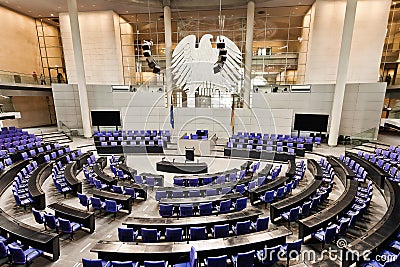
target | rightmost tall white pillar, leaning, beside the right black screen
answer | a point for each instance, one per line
(343, 66)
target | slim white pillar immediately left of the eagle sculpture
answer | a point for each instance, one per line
(168, 50)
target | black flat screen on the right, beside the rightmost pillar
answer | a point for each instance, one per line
(311, 122)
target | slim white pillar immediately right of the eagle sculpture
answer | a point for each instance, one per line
(249, 53)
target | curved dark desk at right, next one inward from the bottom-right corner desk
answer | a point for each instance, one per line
(321, 219)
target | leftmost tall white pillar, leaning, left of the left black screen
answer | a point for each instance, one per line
(80, 70)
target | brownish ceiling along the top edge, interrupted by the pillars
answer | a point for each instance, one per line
(44, 8)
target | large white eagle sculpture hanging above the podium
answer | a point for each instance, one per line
(194, 66)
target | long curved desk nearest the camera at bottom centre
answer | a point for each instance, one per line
(174, 252)
